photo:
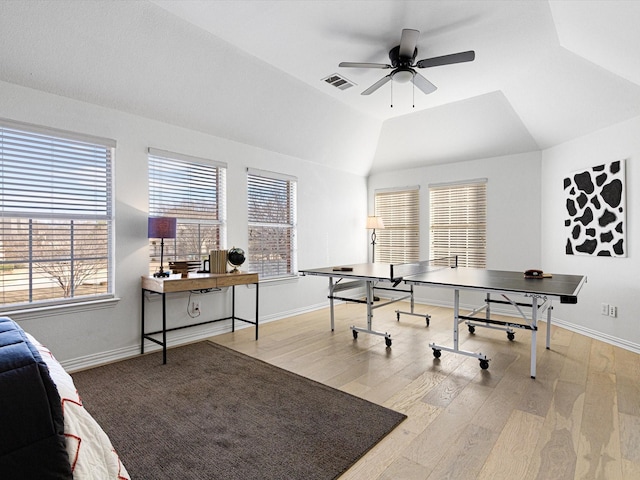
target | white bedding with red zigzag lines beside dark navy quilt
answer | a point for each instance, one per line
(90, 451)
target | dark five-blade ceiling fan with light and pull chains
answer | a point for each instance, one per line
(402, 62)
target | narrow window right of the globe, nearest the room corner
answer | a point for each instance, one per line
(272, 224)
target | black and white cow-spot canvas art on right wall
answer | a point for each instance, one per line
(596, 211)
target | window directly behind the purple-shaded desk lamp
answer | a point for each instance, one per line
(193, 191)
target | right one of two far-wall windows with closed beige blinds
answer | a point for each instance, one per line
(458, 222)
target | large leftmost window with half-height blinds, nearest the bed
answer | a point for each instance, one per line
(55, 214)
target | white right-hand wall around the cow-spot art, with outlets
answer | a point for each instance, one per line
(614, 281)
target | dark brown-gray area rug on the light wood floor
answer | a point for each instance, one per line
(213, 413)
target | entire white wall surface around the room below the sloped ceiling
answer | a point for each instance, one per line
(525, 218)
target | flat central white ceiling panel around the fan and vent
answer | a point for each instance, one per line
(307, 39)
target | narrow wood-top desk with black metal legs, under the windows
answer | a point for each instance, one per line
(200, 282)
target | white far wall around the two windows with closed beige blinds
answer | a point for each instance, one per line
(513, 209)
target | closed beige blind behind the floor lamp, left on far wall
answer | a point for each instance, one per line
(399, 241)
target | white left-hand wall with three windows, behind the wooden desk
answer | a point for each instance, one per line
(331, 220)
